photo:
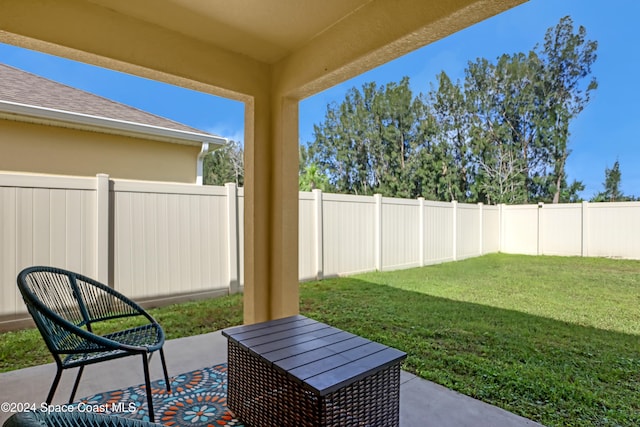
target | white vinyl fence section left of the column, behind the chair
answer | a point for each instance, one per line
(149, 240)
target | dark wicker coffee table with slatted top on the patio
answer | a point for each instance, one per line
(296, 371)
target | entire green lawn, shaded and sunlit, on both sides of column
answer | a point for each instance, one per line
(553, 339)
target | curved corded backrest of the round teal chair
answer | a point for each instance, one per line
(60, 301)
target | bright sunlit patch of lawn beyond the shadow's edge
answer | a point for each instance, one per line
(598, 292)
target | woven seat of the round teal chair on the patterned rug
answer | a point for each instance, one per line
(147, 338)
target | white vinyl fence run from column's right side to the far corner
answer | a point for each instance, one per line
(341, 234)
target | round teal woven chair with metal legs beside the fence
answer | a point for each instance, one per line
(68, 308)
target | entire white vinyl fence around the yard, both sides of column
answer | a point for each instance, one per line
(160, 241)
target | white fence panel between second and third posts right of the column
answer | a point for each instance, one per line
(400, 242)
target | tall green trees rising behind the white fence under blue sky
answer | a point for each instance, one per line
(499, 136)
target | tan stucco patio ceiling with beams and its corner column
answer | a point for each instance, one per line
(269, 54)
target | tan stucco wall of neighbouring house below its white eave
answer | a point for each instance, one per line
(26, 147)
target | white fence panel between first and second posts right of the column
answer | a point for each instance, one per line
(348, 234)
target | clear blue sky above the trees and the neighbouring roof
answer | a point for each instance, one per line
(603, 133)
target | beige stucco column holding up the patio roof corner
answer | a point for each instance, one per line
(271, 208)
